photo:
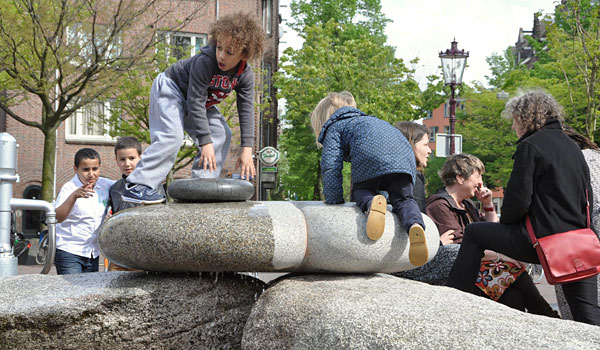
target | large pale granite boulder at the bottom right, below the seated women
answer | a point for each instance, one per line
(385, 312)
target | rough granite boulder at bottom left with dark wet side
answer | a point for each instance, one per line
(125, 310)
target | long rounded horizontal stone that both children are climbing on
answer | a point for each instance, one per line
(256, 236)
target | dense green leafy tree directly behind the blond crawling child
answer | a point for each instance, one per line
(344, 49)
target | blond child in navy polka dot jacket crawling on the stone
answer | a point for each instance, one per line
(382, 160)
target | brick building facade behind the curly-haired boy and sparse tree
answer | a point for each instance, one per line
(30, 139)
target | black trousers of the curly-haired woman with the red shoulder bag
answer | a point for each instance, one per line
(512, 240)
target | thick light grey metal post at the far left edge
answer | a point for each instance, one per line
(8, 165)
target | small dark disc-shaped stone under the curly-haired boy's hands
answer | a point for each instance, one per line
(210, 190)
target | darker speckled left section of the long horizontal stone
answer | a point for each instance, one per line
(182, 237)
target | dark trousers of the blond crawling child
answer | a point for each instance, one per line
(400, 190)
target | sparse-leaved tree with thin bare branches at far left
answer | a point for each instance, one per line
(64, 54)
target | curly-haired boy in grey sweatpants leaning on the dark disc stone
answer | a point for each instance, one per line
(184, 98)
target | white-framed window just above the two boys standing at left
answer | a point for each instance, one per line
(88, 123)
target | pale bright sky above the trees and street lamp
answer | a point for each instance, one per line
(424, 28)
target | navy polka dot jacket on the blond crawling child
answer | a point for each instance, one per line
(373, 146)
